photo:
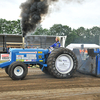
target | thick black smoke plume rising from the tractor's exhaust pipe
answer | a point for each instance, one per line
(32, 12)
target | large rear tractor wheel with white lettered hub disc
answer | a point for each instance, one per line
(62, 63)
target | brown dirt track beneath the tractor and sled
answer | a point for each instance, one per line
(39, 86)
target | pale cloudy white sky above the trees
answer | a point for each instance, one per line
(74, 14)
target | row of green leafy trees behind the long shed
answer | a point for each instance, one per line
(80, 35)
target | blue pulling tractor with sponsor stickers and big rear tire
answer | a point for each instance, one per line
(60, 63)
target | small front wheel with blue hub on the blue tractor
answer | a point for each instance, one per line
(17, 70)
